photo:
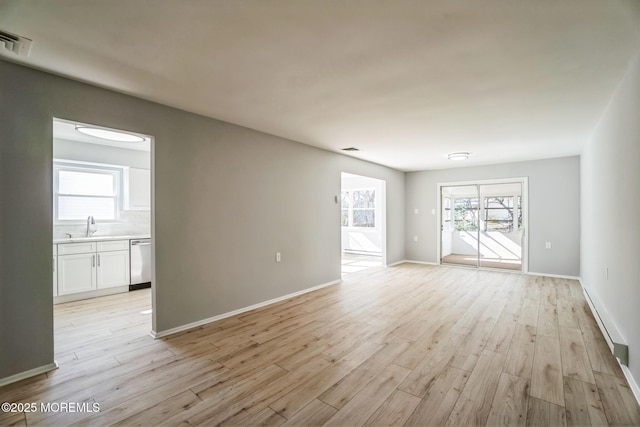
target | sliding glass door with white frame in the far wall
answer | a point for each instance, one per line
(483, 223)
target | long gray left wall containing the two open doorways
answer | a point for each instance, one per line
(226, 199)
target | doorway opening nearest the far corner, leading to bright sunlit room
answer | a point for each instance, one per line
(362, 223)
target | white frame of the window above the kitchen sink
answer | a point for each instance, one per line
(67, 165)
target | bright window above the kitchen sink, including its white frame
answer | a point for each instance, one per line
(86, 190)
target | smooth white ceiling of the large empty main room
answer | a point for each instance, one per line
(405, 81)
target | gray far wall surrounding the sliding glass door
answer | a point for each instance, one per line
(554, 210)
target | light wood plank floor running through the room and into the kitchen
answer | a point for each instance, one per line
(407, 345)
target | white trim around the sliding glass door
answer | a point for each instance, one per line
(524, 181)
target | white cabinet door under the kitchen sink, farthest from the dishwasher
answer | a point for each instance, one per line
(76, 273)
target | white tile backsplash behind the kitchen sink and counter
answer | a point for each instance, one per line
(130, 223)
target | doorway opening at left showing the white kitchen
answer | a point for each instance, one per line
(102, 237)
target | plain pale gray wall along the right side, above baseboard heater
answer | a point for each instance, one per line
(610, 215)
